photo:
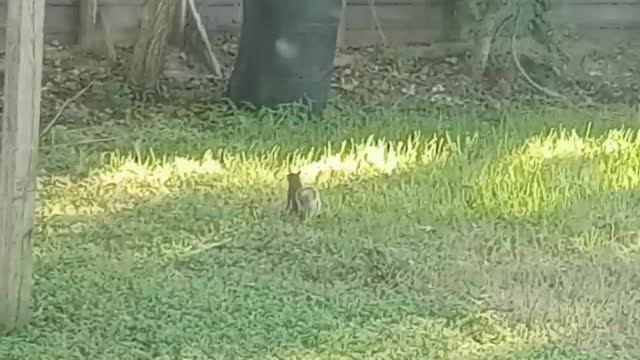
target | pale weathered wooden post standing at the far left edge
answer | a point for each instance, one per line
(18, 158)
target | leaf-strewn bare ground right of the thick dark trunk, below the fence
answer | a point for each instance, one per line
(588, 74)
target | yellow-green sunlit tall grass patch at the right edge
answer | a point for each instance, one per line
(552, 171)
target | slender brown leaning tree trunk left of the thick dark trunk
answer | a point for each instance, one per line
(148, 54)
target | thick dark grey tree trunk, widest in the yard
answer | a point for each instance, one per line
(286, 53)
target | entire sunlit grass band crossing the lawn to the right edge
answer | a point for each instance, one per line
(547, 173)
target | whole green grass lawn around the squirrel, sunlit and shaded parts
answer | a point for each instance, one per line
(442, 237)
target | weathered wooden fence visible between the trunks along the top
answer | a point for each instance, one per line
(403, 21)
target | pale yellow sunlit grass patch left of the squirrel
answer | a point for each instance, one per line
(125, 182)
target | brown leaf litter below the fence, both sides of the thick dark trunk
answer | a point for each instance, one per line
(362, 76)
